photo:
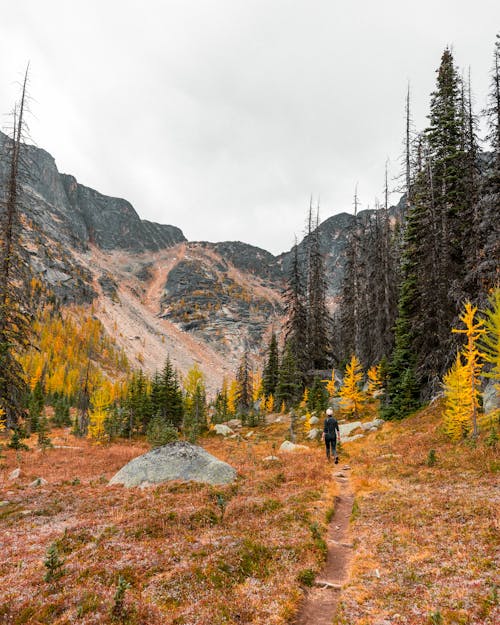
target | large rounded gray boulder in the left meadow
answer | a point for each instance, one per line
(175, 461)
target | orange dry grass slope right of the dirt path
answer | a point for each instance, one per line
(426, 536)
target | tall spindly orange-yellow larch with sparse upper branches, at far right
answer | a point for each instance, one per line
(473, 331)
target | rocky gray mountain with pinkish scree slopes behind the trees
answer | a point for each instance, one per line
(153, 290)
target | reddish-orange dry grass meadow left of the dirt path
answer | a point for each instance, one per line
(186, 564)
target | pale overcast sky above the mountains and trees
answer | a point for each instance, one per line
(222, 117)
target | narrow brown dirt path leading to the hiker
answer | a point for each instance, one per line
(320, 603)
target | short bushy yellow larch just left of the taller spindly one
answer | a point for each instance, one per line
(457, 401)
